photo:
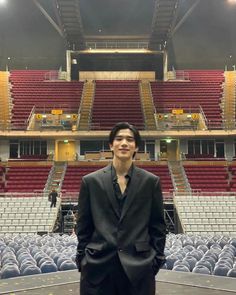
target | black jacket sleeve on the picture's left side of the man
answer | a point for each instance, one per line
(85, 225)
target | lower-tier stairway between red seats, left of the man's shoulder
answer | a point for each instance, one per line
(56, 176)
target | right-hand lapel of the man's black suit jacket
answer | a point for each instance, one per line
(133, 187)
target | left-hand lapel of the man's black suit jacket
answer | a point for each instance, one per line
(107, 183)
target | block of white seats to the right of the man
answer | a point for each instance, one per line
(214, 214)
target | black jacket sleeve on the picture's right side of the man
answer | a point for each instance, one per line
(157, 227)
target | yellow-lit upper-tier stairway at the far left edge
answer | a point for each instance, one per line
(4, 101)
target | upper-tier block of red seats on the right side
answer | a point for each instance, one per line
(204, 89)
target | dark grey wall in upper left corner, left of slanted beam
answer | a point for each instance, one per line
(28, 38)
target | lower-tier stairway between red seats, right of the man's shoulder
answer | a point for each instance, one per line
(179, 178)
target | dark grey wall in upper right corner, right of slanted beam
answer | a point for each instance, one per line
(206, 40)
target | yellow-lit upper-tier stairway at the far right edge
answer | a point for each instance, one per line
(229, 100)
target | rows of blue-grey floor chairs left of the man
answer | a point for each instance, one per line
(31, 254)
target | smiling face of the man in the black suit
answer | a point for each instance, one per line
(123, 145)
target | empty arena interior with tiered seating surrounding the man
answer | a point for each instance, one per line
(70, 70)
